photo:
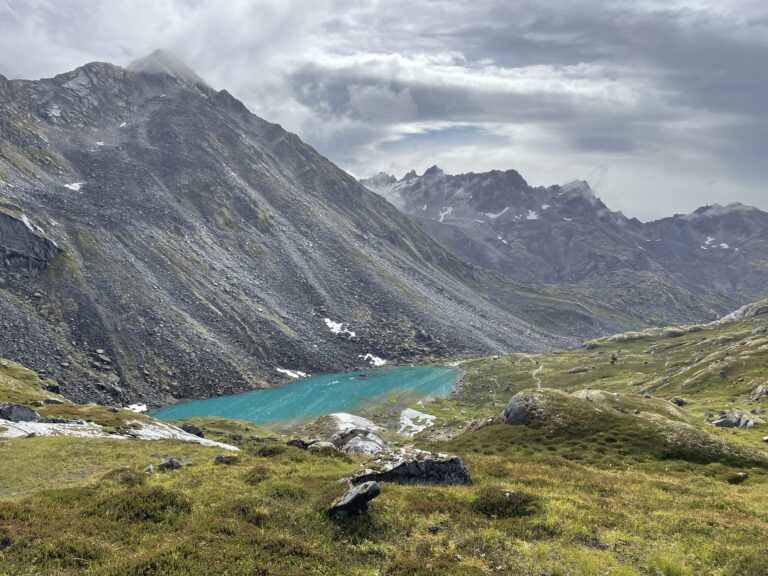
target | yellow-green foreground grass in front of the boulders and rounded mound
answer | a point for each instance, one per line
(266, 515)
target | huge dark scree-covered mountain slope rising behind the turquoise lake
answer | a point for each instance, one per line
(158, 241)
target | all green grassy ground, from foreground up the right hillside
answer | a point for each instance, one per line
(590, 487)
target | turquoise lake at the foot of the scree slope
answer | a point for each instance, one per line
(318, 395)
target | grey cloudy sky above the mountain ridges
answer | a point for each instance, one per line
(660, 105)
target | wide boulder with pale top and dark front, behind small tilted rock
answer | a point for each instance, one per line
(413, 466)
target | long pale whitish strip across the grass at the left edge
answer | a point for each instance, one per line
(142, 431)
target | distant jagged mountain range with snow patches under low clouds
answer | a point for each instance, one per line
(683, 268)
